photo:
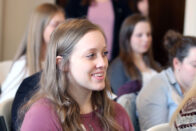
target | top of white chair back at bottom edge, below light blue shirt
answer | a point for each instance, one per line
(160, 127)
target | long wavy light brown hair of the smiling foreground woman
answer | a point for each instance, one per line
(55, 83)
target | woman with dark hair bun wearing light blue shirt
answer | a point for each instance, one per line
(158, 100)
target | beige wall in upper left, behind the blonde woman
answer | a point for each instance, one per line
(14, 18)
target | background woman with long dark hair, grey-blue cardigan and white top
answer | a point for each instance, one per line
(135, 61)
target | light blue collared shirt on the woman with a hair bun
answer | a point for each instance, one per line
(158, 100)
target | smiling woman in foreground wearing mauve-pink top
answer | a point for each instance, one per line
(74, 90)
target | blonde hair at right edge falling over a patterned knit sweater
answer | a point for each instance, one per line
(191, 93)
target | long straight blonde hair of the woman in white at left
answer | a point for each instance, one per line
(31, 44)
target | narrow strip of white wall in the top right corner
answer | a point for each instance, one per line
(190, 18)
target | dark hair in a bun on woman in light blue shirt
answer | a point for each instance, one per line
(178, 46)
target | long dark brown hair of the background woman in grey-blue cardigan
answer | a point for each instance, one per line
(126, 52)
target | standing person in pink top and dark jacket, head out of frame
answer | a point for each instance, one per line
(108, 14)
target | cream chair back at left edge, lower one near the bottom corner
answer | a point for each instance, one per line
(5, 111)
